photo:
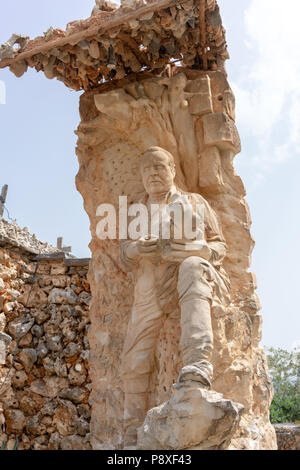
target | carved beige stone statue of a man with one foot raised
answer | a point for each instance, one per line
(169, 273)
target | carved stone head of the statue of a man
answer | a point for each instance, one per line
(157, 170)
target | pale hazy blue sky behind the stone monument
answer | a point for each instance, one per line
(39, 164)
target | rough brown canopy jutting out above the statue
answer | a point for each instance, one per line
(116, 41)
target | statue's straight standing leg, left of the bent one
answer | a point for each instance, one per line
(138, 363)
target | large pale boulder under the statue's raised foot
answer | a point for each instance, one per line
(193, 418)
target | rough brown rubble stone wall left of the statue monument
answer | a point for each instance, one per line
(44, 318)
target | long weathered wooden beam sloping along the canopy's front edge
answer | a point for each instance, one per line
(98, 26)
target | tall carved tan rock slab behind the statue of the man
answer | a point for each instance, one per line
(191, 115)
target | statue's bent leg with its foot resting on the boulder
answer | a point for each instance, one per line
(195, 295)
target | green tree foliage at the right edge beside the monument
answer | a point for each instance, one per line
(285, 373)
